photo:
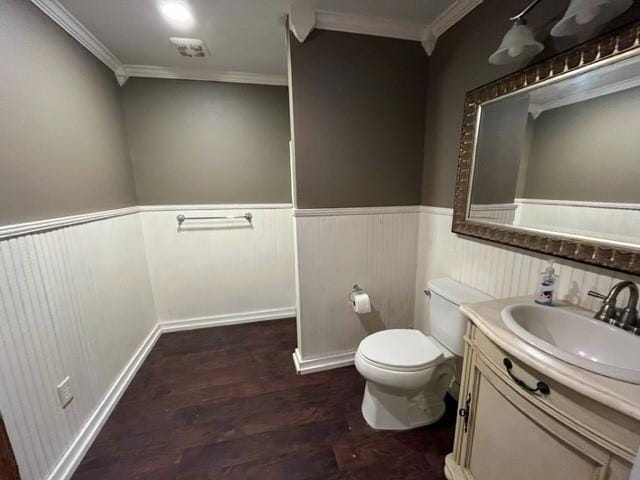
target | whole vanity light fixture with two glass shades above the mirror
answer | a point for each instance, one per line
(519, 43)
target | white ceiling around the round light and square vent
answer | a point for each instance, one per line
(242, 35)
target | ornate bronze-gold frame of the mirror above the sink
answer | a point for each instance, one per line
(611, 47)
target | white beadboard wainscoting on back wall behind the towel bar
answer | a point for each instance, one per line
(218, 272)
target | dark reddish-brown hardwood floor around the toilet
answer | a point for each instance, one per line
(226, 403)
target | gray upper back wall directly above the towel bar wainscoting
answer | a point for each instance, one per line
(208, 142)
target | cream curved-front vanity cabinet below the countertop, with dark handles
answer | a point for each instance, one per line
(505, 431)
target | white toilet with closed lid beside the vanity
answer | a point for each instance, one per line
(408, 372)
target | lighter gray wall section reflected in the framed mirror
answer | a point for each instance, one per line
(587, 151)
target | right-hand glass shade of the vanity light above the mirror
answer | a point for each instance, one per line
(583, 13)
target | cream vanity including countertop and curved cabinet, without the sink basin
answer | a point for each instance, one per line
(586, 427)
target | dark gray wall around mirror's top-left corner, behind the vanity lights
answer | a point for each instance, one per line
(459, 64)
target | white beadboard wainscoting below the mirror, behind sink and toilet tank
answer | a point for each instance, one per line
(497, 270)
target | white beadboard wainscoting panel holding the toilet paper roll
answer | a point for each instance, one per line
(337, 248)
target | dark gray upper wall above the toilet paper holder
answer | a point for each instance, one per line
(358, 109)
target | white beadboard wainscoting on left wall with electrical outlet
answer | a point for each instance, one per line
(75, 300)
